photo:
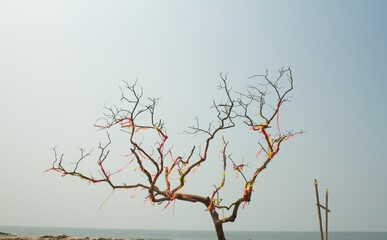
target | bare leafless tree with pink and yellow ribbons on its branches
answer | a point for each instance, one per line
(164, 174)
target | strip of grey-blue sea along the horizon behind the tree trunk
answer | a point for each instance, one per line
(187, 235)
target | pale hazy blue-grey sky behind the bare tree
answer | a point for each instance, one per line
(61, 61)
